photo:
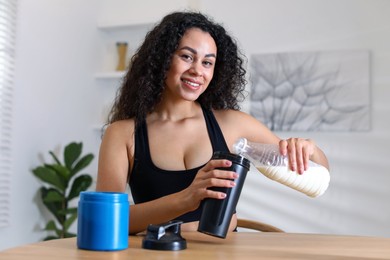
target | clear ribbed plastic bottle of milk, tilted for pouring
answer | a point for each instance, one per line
(268, 160)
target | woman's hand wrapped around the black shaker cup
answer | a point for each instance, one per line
(209, 176)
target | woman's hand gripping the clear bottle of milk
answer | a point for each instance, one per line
(298, 151)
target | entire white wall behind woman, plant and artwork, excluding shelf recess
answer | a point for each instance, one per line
(57, 100)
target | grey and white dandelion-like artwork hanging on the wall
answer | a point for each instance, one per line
(311, 91)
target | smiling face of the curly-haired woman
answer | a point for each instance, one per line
(192, 65)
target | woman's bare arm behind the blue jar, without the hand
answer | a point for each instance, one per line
(115, 160)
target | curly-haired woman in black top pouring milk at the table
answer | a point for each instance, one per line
(177, 105)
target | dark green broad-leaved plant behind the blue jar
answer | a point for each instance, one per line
(62, 183)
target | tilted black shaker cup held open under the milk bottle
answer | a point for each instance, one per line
(217, 213)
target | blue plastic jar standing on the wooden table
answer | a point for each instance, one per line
(103, 221)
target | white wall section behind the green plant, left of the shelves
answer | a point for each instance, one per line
(53, 96)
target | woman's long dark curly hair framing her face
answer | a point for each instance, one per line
(143, 84)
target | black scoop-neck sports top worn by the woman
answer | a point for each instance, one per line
(148, 182)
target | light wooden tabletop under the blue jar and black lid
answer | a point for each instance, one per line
(240, 245)
